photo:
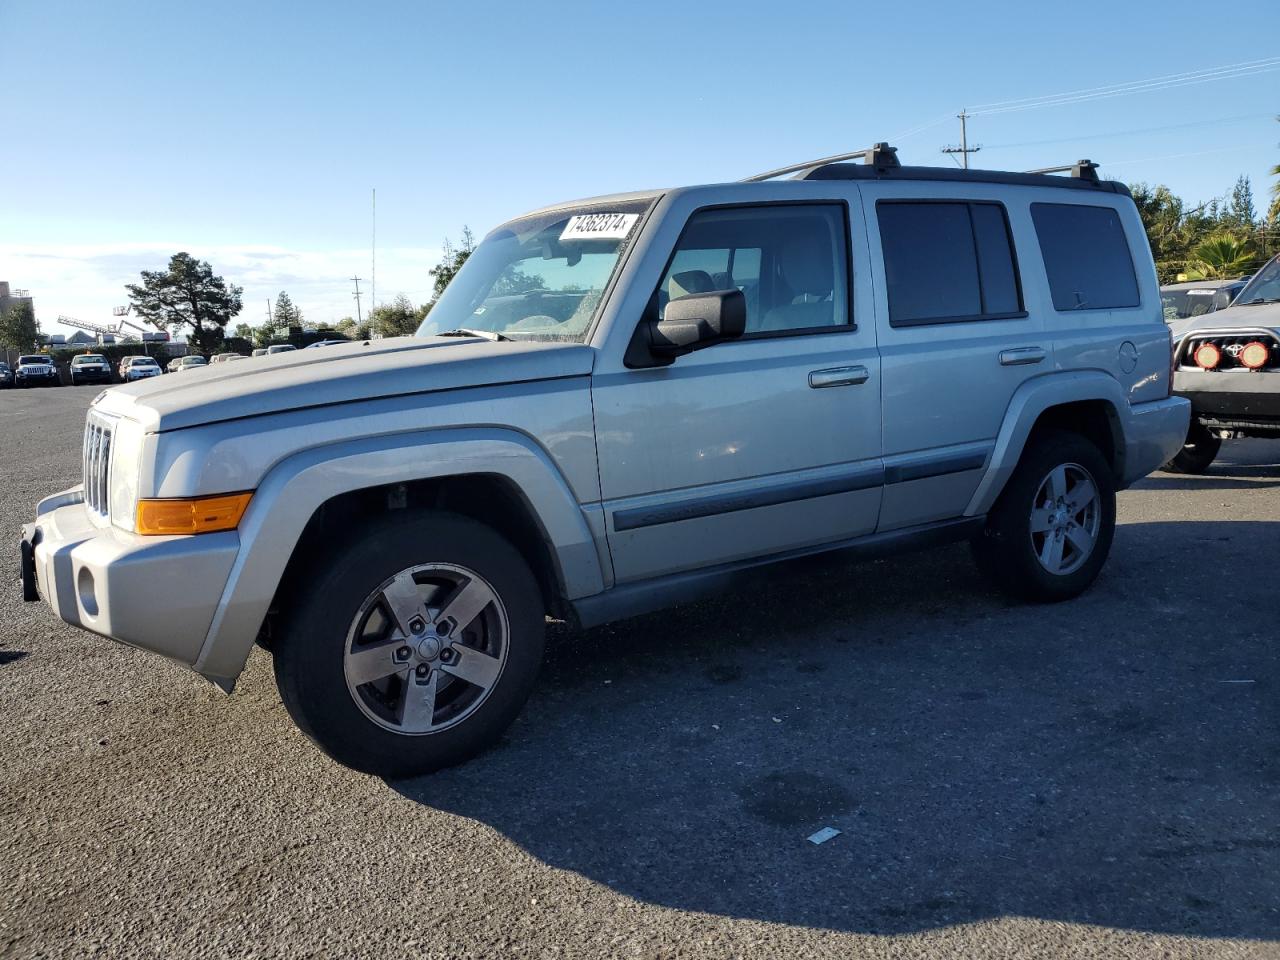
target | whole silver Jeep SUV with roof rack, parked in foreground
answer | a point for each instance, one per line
(616, 405)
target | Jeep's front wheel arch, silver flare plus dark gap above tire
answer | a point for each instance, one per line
(314, 500)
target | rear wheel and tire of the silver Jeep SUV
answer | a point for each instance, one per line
(1052, 529)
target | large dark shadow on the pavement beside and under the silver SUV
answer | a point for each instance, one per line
(1109, 761)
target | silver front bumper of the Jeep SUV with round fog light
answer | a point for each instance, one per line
(157, 593)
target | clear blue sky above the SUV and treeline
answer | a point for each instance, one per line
(252, 134)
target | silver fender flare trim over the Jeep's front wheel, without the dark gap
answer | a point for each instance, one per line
(296, 487)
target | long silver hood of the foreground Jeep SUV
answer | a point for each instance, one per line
(339, 374)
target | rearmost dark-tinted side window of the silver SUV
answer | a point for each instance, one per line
(1087, 257)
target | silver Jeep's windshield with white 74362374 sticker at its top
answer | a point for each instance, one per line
(541, 277)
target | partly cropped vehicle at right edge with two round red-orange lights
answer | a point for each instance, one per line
(1228, 365)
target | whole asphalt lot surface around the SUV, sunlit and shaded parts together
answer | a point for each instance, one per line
(1095, 779)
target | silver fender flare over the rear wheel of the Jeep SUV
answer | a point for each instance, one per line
(1028, 403)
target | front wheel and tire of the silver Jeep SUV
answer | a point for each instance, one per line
(414, 648)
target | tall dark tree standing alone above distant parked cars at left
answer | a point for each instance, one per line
(188, 296)
